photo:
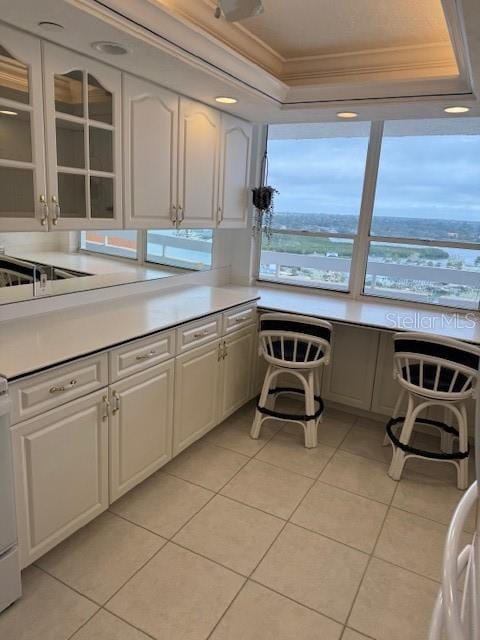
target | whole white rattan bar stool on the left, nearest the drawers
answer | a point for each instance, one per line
(296, 346)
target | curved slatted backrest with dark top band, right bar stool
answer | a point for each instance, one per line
(442, 367)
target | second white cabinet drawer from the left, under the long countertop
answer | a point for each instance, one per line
(141, 354)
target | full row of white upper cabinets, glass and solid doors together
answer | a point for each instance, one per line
(63, 120)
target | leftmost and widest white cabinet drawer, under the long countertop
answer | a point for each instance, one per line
(38, 393)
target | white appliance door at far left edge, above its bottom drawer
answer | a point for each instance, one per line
(7, 505)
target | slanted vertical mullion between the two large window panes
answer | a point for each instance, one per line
(361, 243)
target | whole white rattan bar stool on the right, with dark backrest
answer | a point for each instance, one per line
(433, 371)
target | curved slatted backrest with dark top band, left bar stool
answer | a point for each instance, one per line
(299, 342)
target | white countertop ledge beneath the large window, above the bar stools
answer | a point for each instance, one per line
(387, 315)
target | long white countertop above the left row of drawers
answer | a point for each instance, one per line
(30, 344)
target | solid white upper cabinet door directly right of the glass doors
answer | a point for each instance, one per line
(150, 154)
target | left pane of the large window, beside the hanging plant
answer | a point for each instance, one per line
(318, 170)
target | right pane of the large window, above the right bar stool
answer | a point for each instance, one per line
(424, 243)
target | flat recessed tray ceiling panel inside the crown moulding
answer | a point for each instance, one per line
(319, 27)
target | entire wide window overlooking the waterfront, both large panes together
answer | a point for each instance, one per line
(420, 238)
